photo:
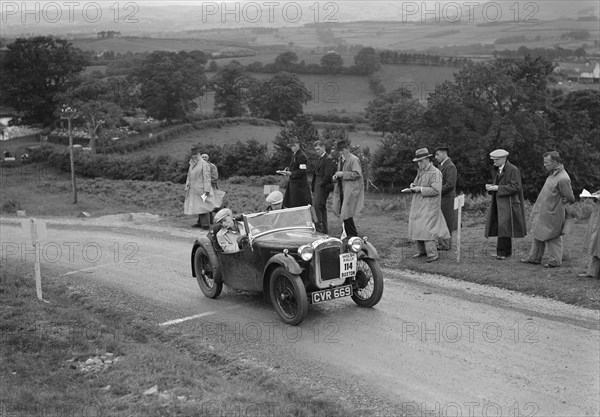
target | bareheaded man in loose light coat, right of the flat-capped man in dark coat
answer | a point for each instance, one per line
(549, 213)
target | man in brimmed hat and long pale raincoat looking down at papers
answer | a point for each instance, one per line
(426, 222)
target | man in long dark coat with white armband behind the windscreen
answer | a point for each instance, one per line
(297, 192)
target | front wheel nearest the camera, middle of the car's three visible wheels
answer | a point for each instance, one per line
(289, 296)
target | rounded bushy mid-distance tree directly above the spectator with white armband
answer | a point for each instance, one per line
(281, 98)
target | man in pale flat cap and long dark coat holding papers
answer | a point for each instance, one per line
(506, 213)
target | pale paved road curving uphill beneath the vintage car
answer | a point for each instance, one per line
(432, 346)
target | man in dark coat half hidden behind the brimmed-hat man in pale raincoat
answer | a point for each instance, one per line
(448, 170)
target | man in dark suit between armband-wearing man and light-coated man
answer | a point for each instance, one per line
(322, 185)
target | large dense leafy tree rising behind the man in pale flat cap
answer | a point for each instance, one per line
(495, 104)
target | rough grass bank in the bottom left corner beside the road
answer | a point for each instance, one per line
(88, 354)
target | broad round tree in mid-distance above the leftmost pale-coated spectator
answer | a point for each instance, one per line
(170, 82)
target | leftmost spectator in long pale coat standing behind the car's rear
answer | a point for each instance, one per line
(200, 197)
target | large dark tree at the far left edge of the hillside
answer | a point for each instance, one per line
(35, 70)
